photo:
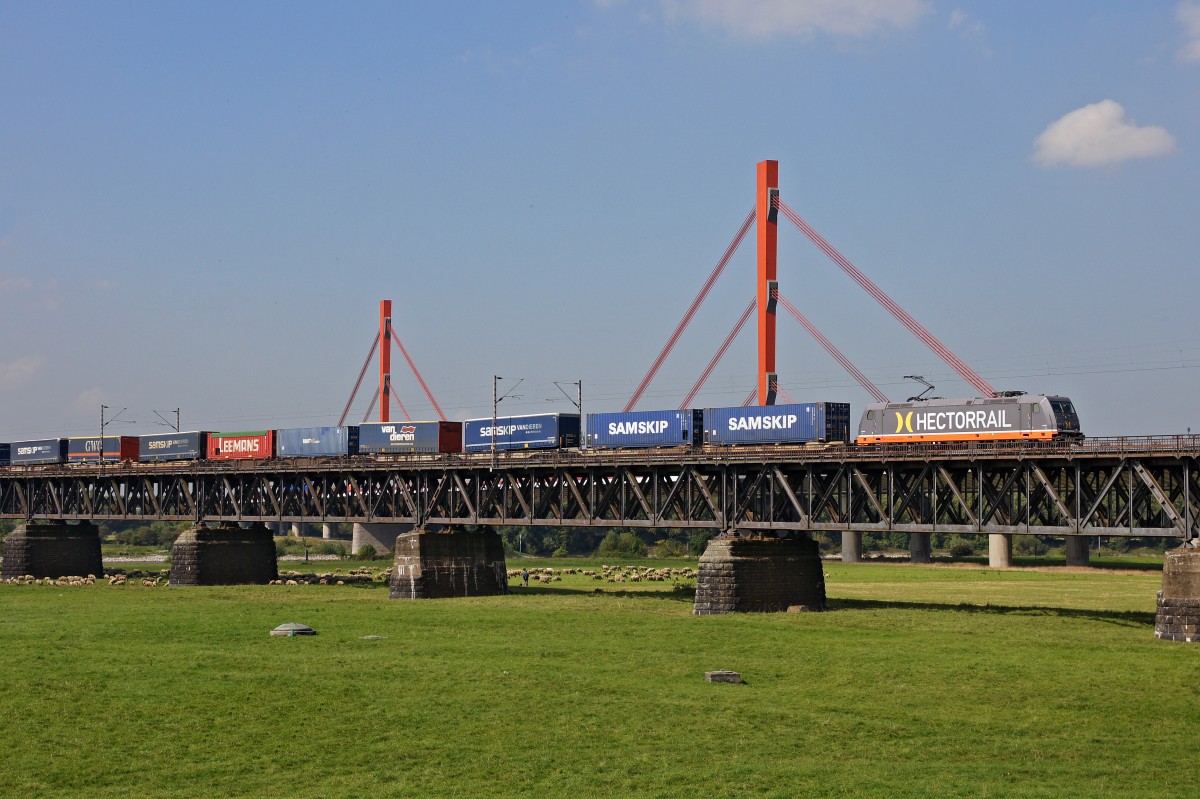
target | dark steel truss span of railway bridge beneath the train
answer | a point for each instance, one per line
(1125, 486)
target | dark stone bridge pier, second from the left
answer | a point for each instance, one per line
(224, 556)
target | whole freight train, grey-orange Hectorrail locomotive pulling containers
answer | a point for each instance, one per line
(999, 419)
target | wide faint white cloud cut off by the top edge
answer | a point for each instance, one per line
(767, 19)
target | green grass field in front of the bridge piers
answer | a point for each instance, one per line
(923, 681)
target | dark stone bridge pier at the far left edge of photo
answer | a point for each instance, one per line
(53, 549)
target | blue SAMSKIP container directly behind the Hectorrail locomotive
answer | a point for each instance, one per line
(812, 422)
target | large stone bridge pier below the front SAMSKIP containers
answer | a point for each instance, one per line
(759, 575)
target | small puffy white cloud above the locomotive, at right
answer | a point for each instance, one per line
(1100, 135)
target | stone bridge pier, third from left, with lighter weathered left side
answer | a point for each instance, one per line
(449, 563)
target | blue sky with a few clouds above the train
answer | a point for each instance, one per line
(202, 205)
